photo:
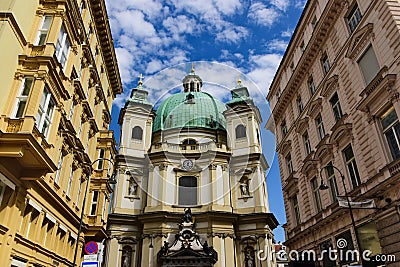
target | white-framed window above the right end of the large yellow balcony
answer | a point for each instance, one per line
(45, 112)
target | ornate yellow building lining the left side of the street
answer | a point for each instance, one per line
(59, 76)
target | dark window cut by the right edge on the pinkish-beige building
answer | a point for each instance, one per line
(391, 130)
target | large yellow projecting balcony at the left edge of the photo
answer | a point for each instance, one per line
(23, 149)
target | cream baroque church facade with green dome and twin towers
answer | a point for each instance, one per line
(191, 185)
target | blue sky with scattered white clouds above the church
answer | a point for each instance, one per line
(224, 38)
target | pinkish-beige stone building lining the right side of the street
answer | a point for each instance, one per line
(335, 100)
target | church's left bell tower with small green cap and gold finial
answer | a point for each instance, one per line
(136, 122)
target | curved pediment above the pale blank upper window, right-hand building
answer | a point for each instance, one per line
(359, 40)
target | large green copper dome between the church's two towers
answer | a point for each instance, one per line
(190, 110)
